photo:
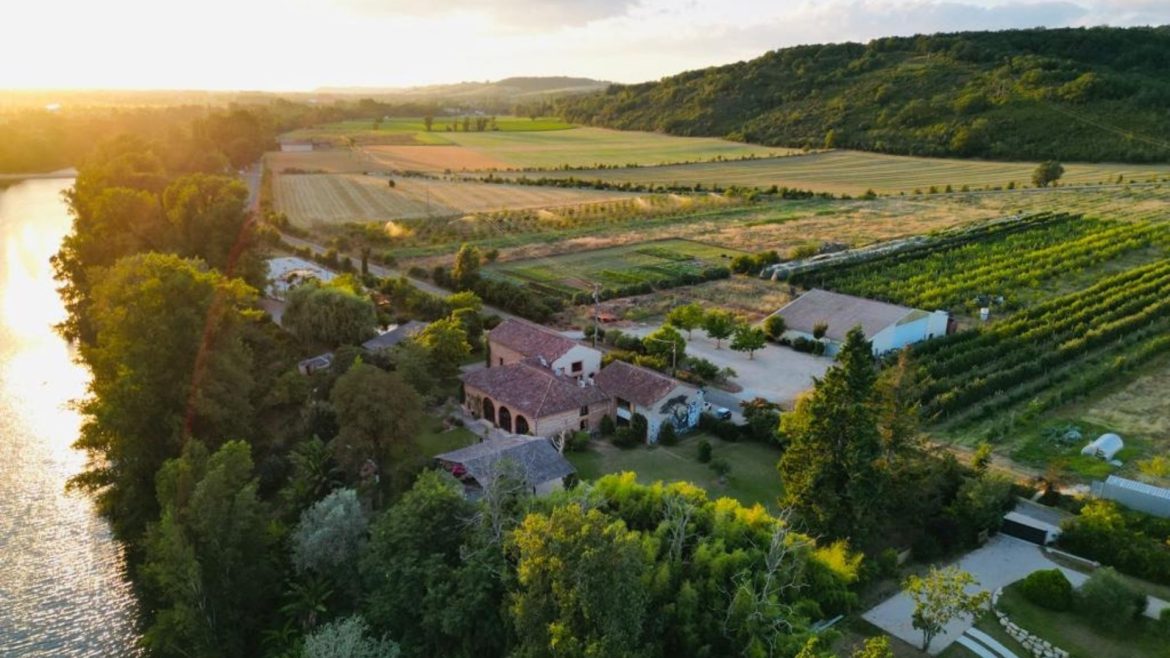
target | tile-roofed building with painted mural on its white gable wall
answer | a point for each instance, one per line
(656, 396)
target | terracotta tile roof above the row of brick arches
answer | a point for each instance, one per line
(533, 390)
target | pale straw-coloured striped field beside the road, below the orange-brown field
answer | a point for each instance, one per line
(316, 200)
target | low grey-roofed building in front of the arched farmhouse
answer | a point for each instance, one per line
(533, 460)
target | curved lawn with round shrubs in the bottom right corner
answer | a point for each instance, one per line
(1071, 632)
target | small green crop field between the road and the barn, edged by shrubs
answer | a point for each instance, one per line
(643, 263)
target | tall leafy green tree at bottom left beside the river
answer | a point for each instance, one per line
(207, 571)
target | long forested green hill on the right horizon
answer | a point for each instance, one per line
(1097, 94)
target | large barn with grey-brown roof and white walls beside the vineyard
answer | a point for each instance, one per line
(889, 327)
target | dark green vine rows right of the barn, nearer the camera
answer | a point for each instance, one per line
(1051, 354)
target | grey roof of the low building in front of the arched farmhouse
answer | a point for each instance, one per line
(535, 456)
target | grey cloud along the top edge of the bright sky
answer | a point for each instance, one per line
(531, 15)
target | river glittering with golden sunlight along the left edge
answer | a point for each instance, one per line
(64, 590)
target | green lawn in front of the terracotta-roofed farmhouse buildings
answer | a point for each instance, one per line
(753, 479)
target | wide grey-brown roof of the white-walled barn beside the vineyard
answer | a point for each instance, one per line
(842, 313)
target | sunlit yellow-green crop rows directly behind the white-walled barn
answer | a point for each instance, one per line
(1008, 261)
